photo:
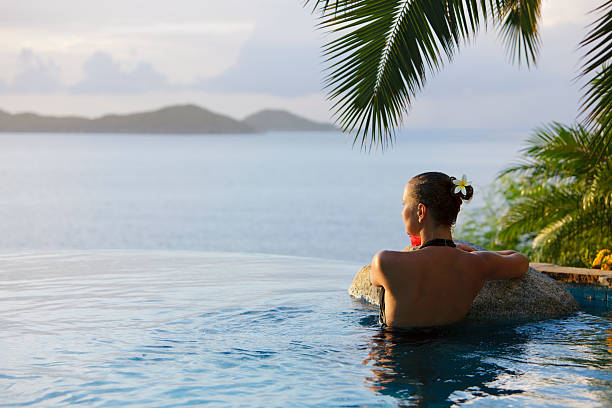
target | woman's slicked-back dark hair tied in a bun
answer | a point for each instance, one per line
(436, 191)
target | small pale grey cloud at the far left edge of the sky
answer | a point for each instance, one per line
(35, 75)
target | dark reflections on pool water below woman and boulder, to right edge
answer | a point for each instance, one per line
(518, 364)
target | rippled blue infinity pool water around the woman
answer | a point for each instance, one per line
(179, 328)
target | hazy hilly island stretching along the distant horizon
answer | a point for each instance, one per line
(184, 119)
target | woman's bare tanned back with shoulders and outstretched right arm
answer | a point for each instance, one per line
(436, 285)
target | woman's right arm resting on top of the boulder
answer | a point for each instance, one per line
(502, 264)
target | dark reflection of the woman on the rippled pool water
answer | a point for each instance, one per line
(437, 368)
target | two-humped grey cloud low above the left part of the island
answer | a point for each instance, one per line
(104, 75)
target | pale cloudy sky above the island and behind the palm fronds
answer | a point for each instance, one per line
(236, 57)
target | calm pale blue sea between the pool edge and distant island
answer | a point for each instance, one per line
(306, 194)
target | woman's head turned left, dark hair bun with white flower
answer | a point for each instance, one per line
(433, 193)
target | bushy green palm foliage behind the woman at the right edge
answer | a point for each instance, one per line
(556, 203)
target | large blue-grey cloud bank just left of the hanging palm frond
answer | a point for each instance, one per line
(268, 64)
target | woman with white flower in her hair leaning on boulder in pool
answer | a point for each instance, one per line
(436, 284)
